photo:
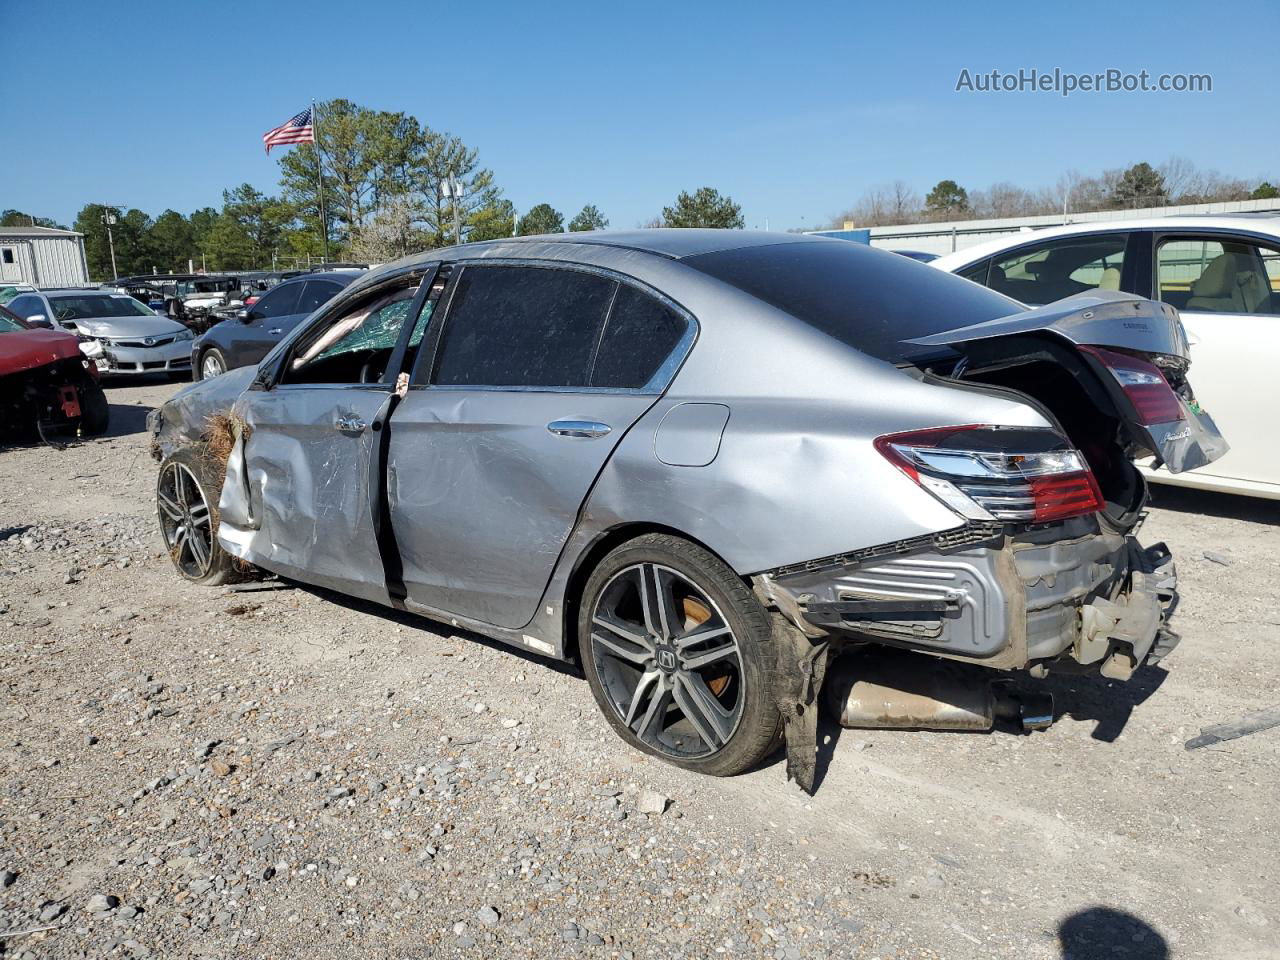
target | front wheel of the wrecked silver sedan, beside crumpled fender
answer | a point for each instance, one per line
(189, 520)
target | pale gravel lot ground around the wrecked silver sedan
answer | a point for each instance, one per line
(200, 772)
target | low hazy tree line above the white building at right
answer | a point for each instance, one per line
(1177, 181)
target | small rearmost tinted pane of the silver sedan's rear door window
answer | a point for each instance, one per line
(641, 335)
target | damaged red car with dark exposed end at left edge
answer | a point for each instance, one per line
(47, 383)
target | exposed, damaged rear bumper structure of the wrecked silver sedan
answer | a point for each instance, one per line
(1072, 598)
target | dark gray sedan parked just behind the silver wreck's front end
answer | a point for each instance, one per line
(252, 335)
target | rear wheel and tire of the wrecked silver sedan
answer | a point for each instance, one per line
(742, 682)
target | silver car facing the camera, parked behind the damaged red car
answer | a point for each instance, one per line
(118, 333)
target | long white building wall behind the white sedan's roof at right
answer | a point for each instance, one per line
(947, 237)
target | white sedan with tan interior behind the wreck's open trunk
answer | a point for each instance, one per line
(1222, 273)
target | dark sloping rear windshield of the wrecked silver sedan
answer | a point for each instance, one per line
(867, 299)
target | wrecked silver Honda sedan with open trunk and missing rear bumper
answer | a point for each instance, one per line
(701, 463)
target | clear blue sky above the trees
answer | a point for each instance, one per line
(793, 109)
